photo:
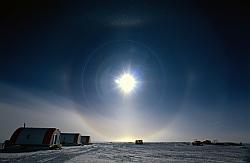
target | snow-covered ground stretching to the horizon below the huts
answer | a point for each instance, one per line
(128, 152)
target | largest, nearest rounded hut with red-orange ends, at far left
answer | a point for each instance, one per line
(32, 139)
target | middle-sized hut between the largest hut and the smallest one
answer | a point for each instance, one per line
(70, 139)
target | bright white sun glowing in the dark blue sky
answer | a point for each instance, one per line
(126, 82)
